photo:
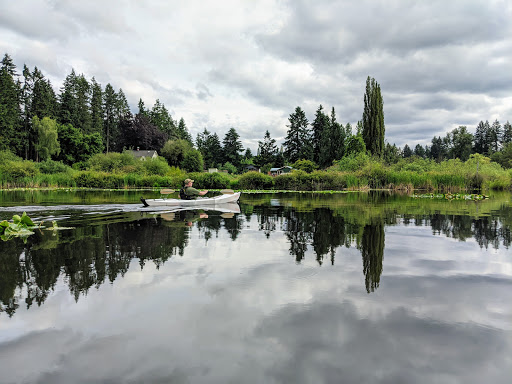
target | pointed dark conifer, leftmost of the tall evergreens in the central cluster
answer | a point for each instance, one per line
(298, 138)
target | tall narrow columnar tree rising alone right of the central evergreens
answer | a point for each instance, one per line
(373, 118)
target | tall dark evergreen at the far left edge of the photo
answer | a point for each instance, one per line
(10, 112)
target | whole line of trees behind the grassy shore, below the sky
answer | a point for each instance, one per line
(85, 119)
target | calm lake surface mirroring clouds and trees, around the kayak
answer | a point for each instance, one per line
(294, 288)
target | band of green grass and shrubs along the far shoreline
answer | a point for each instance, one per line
(359, 172)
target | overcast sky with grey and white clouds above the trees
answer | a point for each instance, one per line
(249, 64)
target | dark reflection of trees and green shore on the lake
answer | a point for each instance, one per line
(103, 245)
